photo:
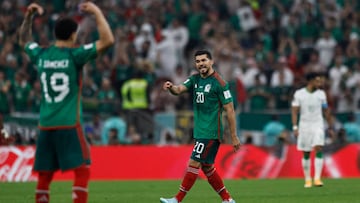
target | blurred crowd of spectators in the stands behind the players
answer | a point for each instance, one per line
(262, 47)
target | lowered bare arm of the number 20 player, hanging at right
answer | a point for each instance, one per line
(230, 114)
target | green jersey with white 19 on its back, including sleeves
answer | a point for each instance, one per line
(60, 72)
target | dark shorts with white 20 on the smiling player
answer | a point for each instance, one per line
(205, 150)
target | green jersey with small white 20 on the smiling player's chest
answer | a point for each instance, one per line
(209, 96)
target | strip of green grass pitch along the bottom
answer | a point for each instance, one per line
(249, 191)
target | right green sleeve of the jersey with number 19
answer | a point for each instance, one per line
(85, 53)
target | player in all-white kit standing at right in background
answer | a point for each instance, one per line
(311, 103)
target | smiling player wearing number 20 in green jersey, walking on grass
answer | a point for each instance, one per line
(211, 95)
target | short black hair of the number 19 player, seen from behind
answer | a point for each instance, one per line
(64, 28)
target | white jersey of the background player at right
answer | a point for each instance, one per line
(311, 106)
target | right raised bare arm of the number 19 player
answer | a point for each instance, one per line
(106, 37)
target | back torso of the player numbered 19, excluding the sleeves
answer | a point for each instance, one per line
(60, 80)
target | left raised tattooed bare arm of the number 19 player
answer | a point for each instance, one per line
(25, 32)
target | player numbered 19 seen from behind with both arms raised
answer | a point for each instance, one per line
(61, 143)
